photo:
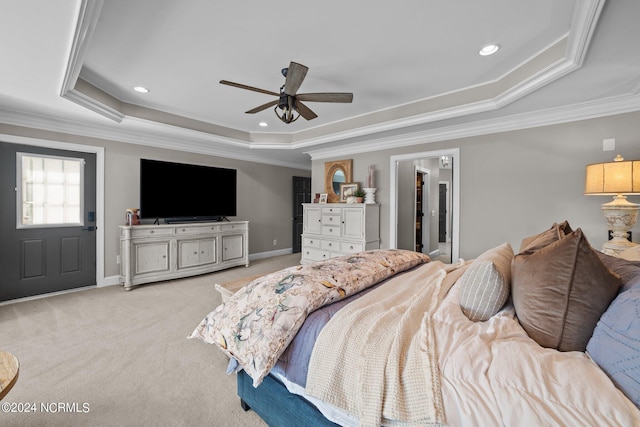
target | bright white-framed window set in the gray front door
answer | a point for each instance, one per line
(50, 190)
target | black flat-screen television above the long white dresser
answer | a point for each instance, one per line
(178, 192)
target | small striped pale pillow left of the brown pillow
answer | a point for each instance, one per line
(486, 283)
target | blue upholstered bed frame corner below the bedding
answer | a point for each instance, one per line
(276, 405)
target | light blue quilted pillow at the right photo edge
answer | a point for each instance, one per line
(615, 344)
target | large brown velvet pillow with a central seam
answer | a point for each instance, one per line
(560, 292)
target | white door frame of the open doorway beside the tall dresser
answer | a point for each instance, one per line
(454, 153)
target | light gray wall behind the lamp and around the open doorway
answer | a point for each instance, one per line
(515, 184)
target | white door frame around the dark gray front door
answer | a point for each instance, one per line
(99, 152)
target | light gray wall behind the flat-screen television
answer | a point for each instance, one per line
(265, 192)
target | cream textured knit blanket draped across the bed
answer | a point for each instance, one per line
(376, 358)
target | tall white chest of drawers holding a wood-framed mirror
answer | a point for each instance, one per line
(334, 229)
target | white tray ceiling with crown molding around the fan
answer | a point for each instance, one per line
(412, 65)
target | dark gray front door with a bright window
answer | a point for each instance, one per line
(42, 258)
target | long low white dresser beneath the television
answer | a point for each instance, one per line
(150, 253)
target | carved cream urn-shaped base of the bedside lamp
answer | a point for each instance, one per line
(621, 215)
